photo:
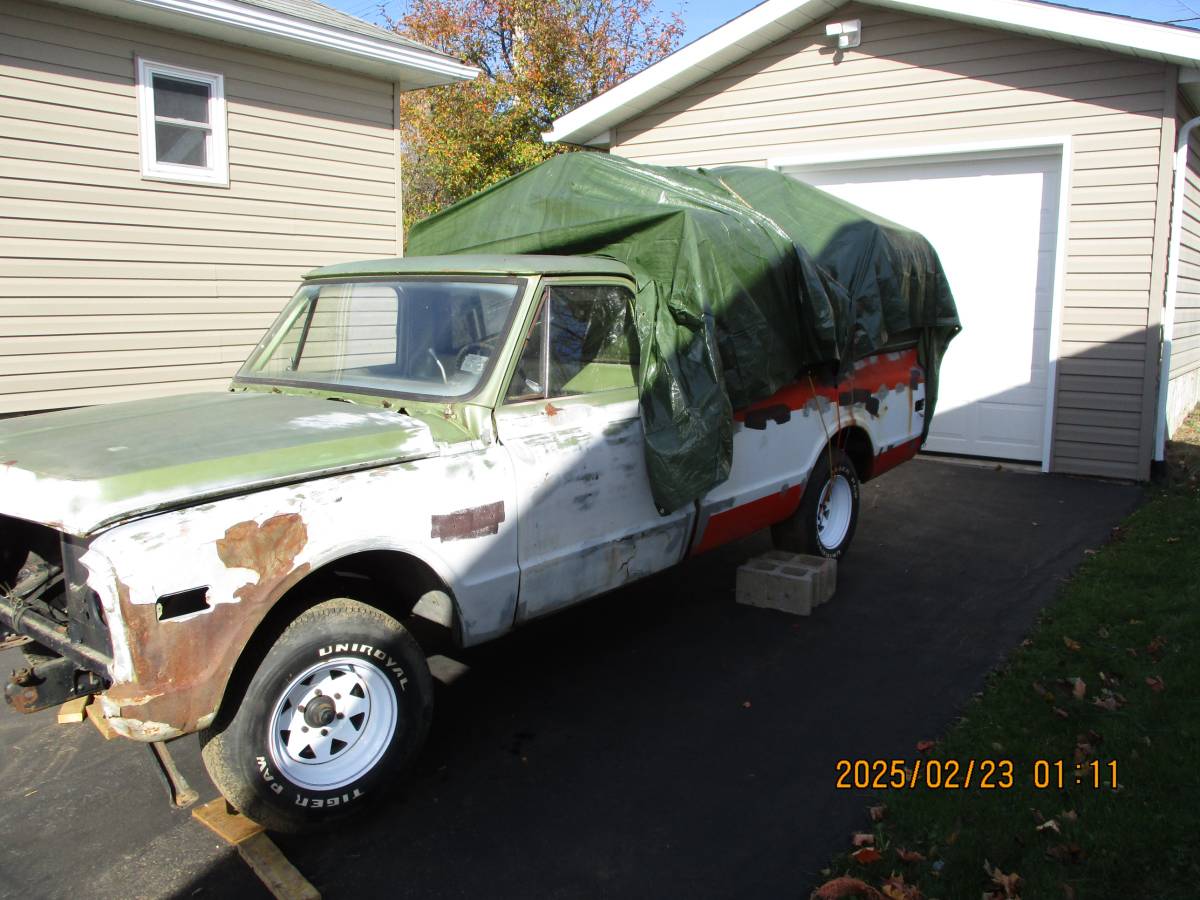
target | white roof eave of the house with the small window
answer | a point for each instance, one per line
(232, 22)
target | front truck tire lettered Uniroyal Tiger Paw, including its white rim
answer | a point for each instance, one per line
(269, 776)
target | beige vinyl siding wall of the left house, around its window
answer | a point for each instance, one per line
(116, 287)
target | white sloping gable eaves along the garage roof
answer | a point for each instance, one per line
(775, 20)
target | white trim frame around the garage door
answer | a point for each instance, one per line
(879, 158)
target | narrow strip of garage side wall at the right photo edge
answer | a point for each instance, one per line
(1184, 388)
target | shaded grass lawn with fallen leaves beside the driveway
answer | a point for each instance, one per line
(1112, 674)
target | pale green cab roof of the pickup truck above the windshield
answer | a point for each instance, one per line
(476, 265)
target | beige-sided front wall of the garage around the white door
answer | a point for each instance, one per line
(921, 82)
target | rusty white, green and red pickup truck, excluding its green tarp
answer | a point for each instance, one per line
(449, 439)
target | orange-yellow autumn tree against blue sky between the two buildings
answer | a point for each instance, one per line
(539, 59)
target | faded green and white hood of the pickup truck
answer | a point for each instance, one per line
(83, 470)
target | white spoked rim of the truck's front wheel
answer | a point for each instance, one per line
(333, 724)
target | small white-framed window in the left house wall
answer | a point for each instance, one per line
(182, 121)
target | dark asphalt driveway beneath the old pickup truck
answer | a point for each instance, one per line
(661, 742)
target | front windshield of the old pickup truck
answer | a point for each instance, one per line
(422, 338)
